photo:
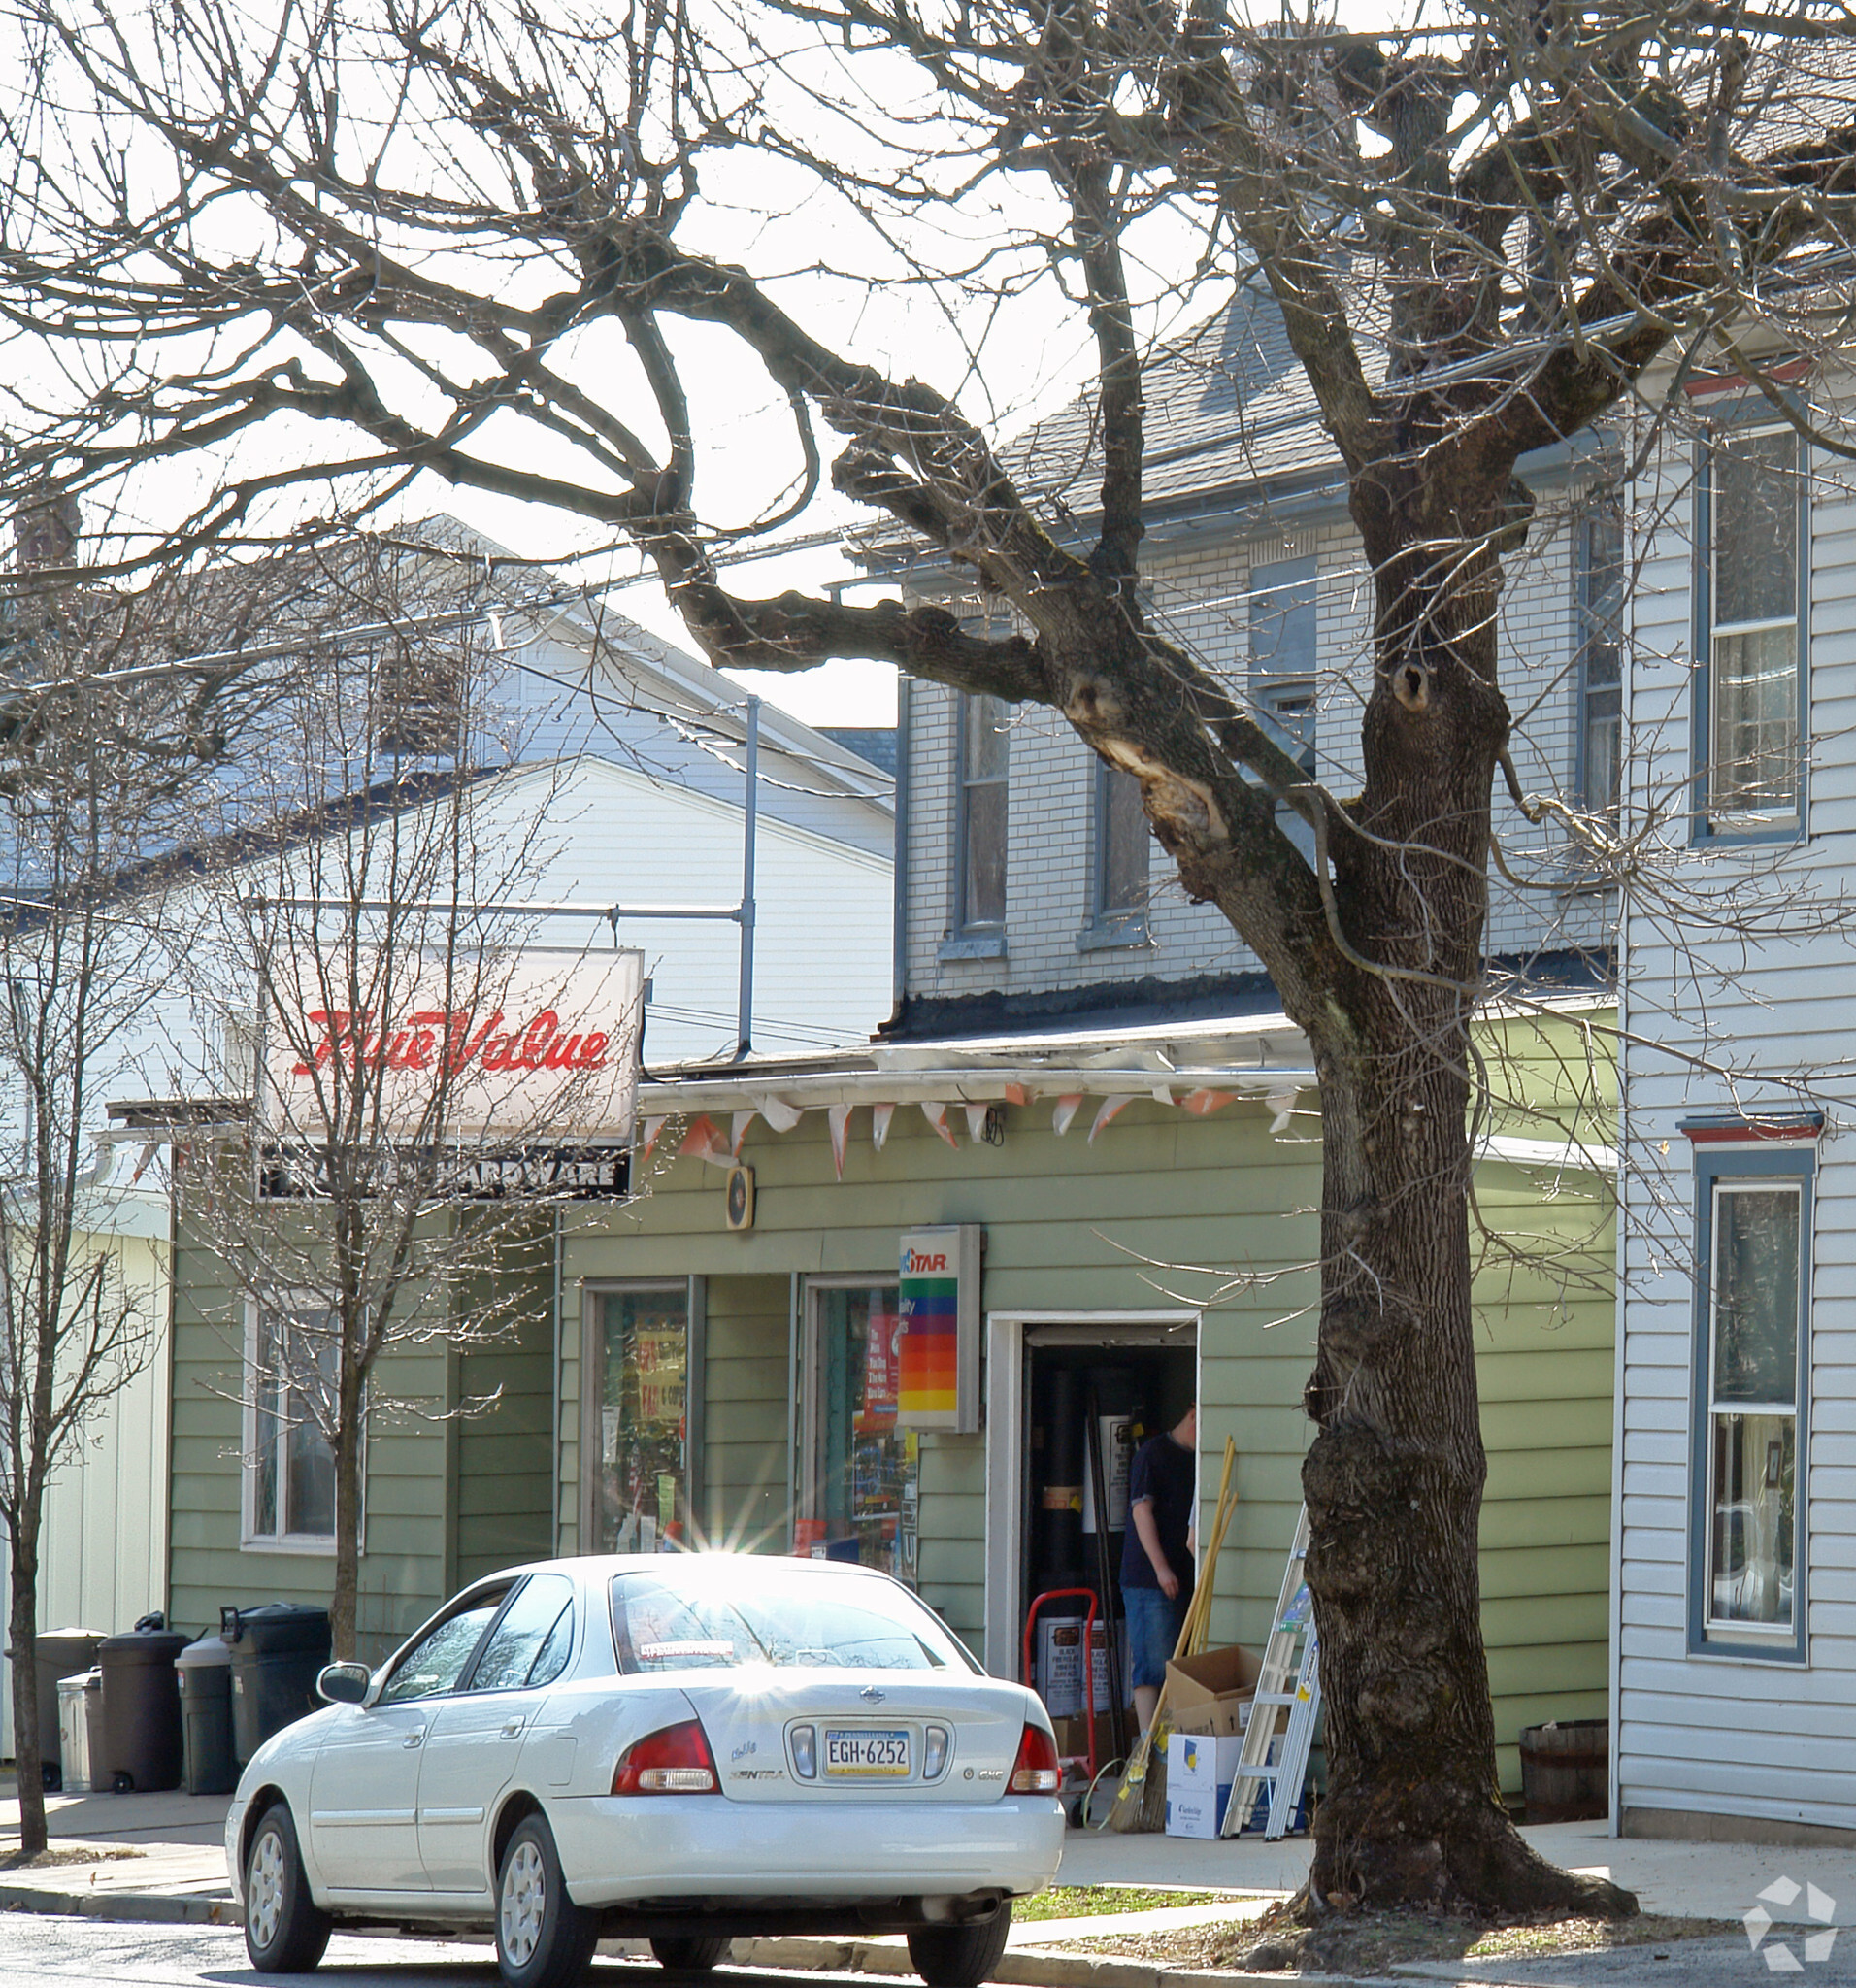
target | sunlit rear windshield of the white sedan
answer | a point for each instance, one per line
(700, 1617)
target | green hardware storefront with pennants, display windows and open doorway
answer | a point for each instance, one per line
(1126, 1255)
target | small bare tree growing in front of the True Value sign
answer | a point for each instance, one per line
(426, 1075)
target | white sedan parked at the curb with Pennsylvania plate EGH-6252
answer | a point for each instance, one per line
(677, 1748)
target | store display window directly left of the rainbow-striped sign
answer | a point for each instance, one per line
(861, 1488)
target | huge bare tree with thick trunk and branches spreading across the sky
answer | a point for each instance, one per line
(1483, 234)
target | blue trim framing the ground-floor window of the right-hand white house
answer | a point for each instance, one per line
(1740, 1164)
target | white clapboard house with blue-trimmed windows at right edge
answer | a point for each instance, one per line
(1736, 1462)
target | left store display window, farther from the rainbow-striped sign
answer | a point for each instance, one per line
(641, 1355)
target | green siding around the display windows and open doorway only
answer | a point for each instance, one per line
(1167, 1212)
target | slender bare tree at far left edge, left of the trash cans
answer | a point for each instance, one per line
(102, 752)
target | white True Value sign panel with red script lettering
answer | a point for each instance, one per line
(536, 1047)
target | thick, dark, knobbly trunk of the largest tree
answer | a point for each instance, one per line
(1394, 1478)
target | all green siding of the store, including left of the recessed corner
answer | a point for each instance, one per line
(1165, 1212)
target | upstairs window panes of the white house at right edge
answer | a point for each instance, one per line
(1750, 629)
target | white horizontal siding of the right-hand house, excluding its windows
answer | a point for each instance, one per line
(1722, 1735)
